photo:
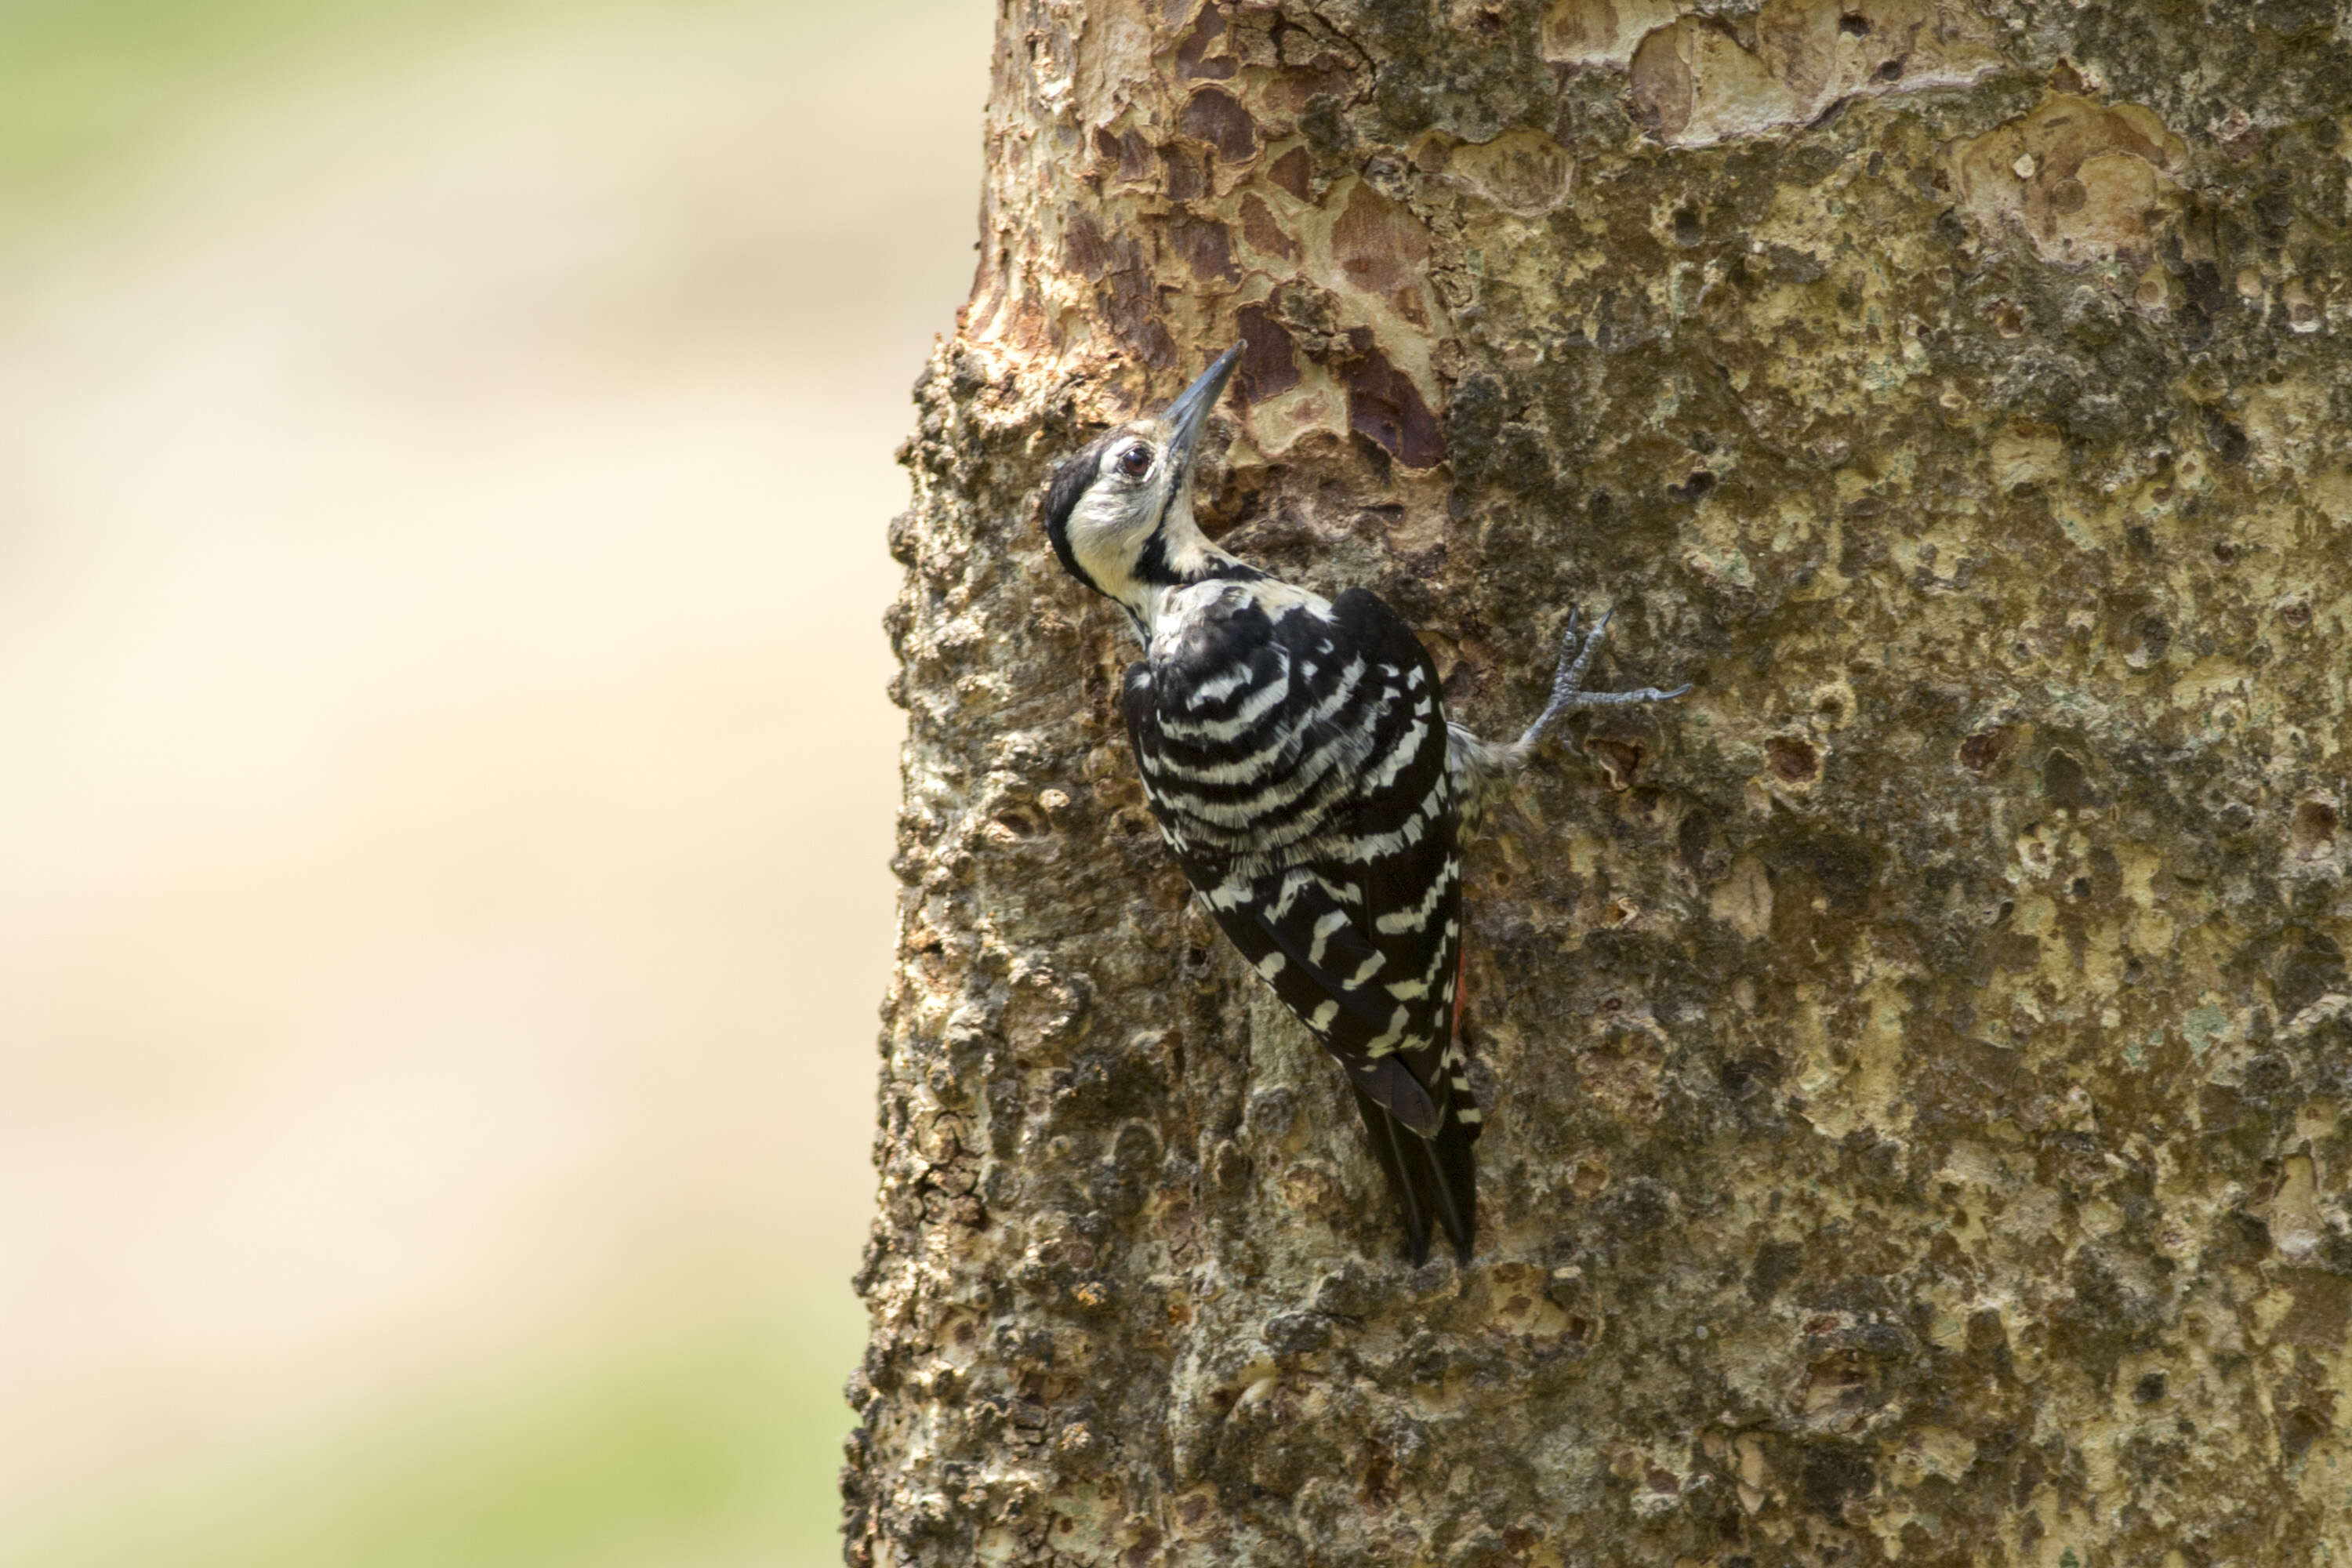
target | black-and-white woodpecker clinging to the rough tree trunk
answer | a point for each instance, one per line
(1299, 760)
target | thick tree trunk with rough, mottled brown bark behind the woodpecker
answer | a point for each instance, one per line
(1918, 1064)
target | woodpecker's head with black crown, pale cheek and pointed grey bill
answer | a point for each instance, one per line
(1121, 511)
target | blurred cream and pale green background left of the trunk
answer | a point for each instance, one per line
(446, 779)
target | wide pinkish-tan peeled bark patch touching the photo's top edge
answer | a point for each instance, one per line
(1695, 83)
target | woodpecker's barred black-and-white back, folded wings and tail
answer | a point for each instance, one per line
(1297, 760)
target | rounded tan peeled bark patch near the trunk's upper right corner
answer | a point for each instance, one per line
(2085, 182)
